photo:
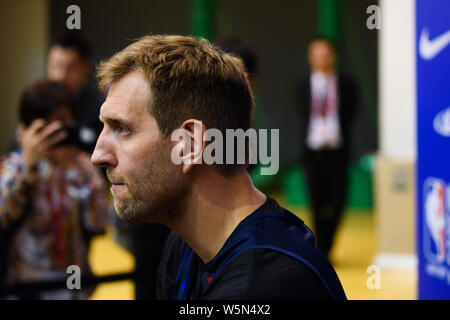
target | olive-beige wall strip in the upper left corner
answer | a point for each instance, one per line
(23, 38)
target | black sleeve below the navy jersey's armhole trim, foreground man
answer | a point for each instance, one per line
(267, 274)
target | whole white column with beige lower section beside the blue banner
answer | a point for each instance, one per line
(395, 169)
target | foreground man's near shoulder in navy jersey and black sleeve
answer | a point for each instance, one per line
(277, 259)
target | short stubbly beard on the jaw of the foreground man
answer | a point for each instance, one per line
(157, 194)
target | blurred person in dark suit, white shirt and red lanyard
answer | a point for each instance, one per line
(327, 101)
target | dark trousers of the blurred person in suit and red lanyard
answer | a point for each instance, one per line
(326, 177)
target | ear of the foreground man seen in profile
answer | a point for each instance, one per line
(194, 143)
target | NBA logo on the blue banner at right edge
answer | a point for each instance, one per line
(436, 221)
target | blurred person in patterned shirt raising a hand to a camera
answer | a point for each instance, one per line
(52, 199)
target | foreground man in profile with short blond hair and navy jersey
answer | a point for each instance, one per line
(229, 240)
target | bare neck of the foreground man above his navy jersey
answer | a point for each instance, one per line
(215, 207)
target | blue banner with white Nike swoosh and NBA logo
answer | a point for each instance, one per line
(433, 150)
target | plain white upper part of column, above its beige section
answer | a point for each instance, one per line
(397, 68)
